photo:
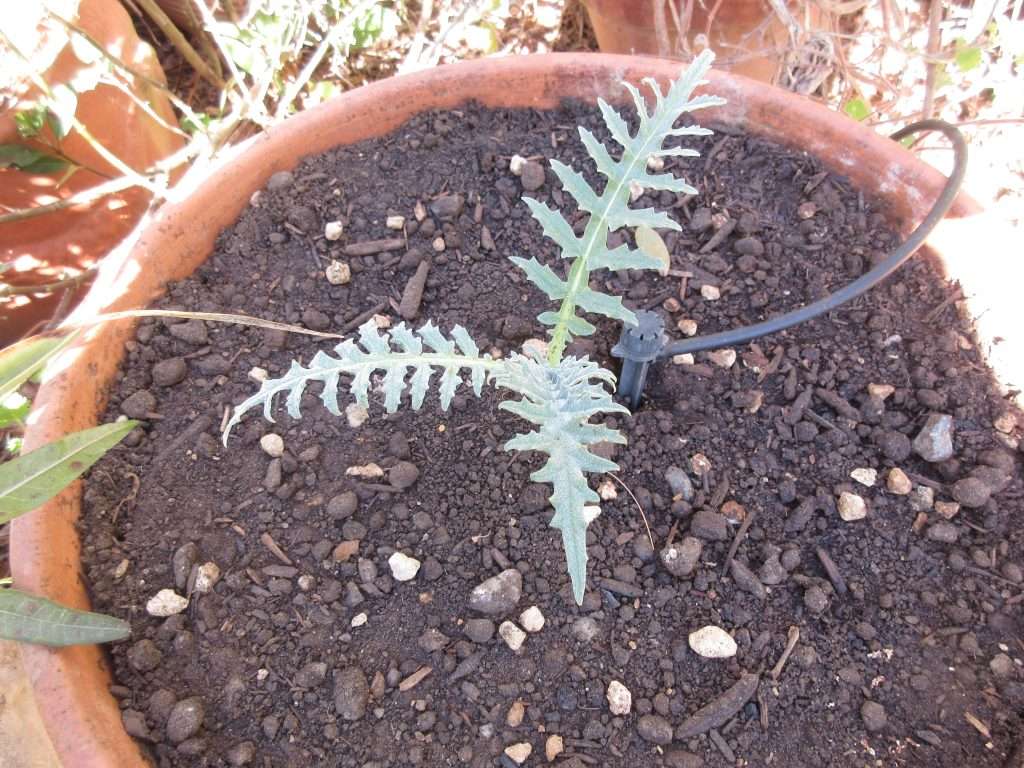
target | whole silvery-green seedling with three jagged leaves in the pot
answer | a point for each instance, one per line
(559, 395)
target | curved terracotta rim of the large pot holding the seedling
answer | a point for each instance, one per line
(72, 685)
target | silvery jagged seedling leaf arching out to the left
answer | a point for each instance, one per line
(393, 355)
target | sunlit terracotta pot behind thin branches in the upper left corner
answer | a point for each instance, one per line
(76, 238)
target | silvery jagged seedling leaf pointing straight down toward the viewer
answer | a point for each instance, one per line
(560, 401)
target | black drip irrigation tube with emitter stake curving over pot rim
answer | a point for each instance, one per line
(647, 343)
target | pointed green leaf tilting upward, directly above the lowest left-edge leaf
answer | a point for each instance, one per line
(33, 479)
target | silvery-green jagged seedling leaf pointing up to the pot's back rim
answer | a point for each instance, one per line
(611, 209)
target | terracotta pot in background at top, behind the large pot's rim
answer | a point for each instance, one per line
(749, 37)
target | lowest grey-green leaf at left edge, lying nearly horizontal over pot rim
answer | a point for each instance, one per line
(30, 619)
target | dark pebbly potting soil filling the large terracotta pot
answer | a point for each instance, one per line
(308, 652)
